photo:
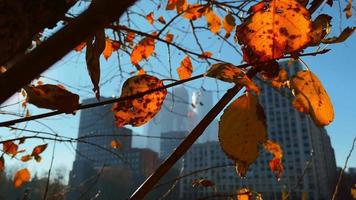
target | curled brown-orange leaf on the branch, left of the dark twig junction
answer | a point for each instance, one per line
(229, 73)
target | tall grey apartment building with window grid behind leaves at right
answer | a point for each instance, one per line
(298, 136)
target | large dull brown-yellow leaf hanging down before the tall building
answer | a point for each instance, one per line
(242, 128)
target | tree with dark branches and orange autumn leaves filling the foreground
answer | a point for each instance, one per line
(266, 32)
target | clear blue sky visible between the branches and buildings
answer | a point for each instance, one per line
(336, 70)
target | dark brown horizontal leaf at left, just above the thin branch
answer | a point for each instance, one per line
(52, 97)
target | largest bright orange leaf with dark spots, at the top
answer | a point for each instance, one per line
(277, 28)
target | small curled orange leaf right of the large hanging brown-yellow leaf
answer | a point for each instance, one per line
(276, 163)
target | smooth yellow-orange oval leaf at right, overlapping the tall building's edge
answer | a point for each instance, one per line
(306, 84)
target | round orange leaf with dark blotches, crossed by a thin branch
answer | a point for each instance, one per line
(139, 111)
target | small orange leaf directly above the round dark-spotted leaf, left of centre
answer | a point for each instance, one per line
(143, 50)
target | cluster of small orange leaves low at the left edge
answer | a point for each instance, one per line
(12, 149)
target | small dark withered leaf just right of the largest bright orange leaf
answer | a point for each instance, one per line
(321, 27)
